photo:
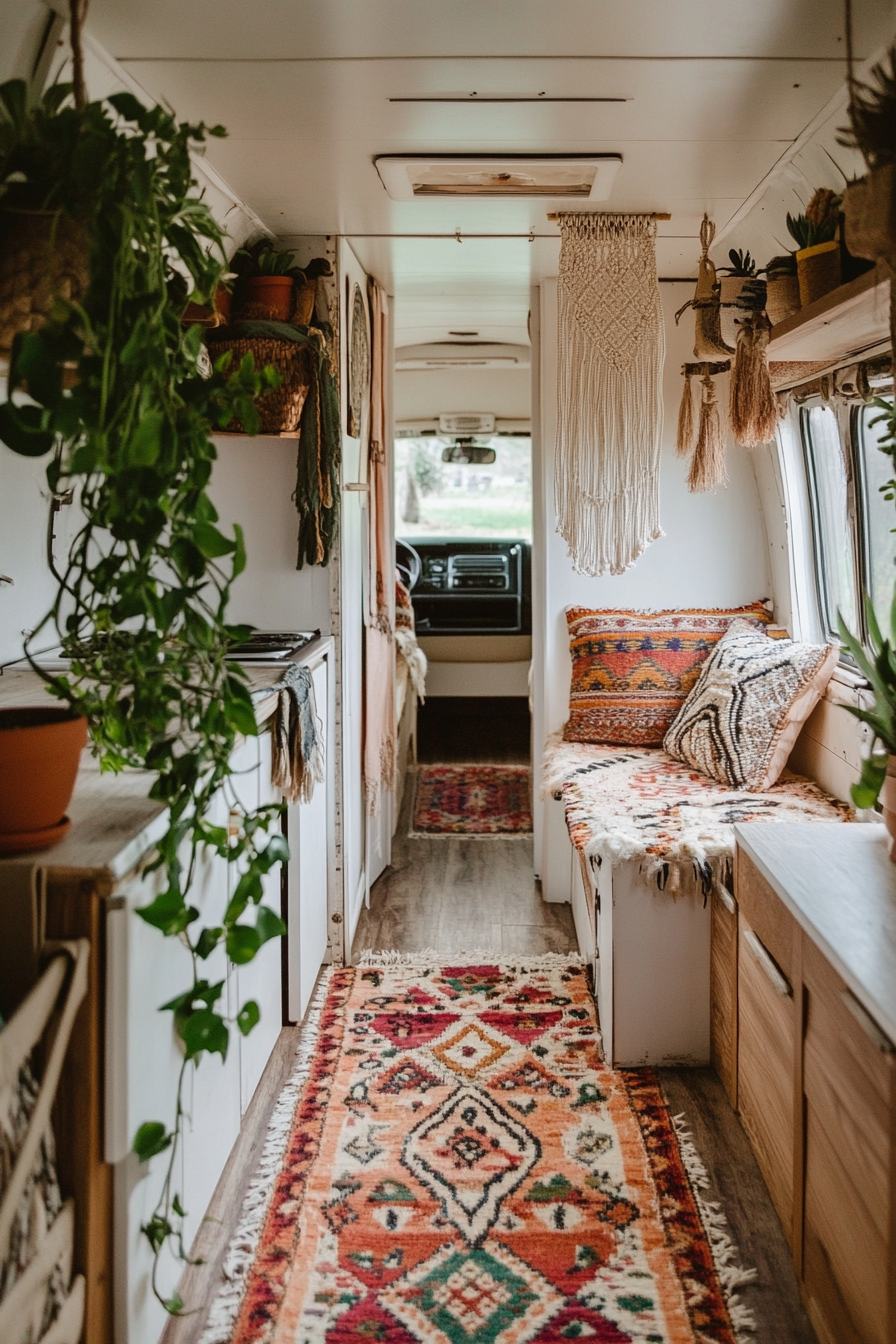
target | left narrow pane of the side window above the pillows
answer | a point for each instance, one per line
(828, 472)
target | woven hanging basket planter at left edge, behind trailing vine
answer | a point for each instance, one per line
(44, 255)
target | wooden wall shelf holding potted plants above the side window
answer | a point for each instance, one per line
(847, 322)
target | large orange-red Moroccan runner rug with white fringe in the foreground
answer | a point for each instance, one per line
(455, 1165)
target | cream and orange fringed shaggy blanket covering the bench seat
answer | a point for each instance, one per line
(637, 803)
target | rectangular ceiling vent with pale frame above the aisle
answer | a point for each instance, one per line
(492, 177)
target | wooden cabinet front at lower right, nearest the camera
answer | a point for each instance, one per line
(848, 1083)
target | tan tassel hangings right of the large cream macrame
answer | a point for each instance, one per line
(753, 412)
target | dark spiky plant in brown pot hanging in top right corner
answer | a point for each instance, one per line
(870, 205)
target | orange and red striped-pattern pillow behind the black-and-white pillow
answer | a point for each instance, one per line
(632, 671)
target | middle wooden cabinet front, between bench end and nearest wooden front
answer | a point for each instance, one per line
(766, 1062)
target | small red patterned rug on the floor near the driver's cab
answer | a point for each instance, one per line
(472, 800)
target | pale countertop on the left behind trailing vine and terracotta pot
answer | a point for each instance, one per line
(114, 821)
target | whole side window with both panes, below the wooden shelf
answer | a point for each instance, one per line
(854, 525)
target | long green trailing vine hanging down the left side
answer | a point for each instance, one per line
(142, 605)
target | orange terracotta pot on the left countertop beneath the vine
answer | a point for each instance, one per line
(40, 756)
